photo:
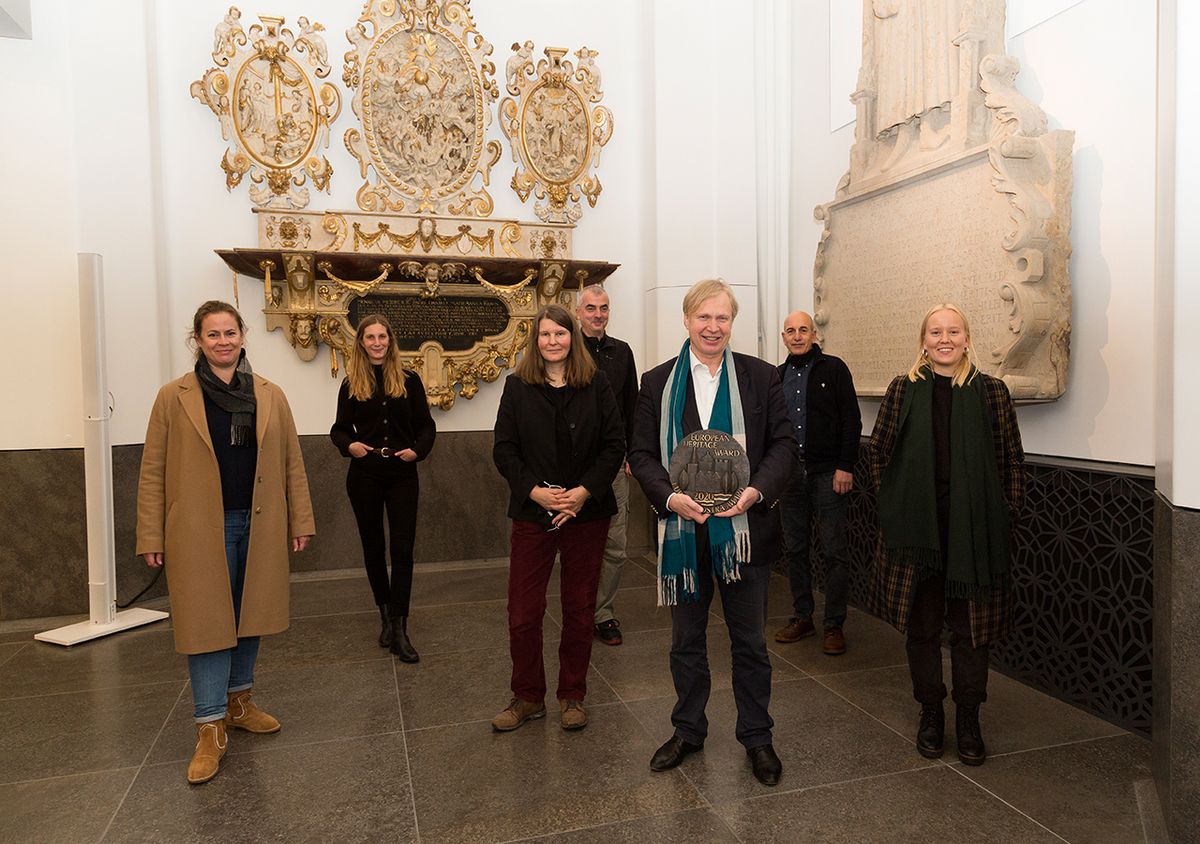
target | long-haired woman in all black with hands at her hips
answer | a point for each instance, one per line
(385, 426)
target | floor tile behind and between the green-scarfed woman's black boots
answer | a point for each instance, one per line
(1015, 719)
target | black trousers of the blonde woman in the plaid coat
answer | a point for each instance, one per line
(969, 665)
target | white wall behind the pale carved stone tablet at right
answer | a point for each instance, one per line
(1093, 68)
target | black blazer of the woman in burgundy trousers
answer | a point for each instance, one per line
(524, 446)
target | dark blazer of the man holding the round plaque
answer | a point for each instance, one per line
(771, 445)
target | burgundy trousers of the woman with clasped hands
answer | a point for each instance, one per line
(580, 548)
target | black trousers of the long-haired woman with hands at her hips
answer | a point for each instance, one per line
(374, 492)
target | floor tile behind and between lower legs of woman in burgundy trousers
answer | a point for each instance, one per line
(473, 686)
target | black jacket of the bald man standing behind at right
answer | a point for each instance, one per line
(836, 424)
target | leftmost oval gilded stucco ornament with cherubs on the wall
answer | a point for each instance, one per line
(267, 92)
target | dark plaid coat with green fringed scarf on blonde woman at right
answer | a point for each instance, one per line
(977, 552)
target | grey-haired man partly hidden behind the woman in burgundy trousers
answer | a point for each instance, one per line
(616, 360)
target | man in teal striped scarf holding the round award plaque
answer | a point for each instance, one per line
(713, 451)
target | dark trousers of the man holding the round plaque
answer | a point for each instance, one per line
(745, 604)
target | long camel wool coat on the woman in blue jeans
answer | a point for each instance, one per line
(181, 514)
